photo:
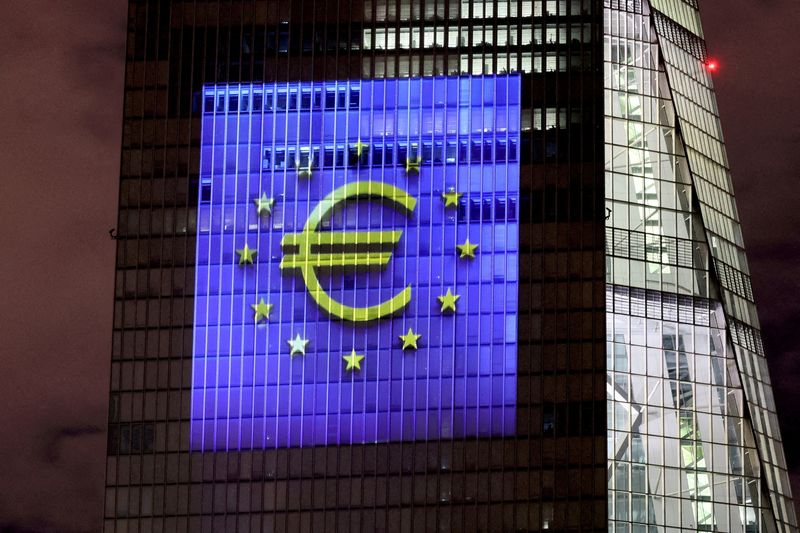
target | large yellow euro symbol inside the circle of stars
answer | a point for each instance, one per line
(356, 249)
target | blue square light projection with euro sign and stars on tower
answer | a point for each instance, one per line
(357, 262)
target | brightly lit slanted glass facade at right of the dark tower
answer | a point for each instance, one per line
(693, 441)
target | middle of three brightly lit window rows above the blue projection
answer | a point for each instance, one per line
(407, 38)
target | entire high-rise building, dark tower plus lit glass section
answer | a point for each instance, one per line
(432, 265)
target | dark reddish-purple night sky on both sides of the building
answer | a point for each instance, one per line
(62, 64)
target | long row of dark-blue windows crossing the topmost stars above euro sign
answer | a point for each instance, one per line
(438, 152)
